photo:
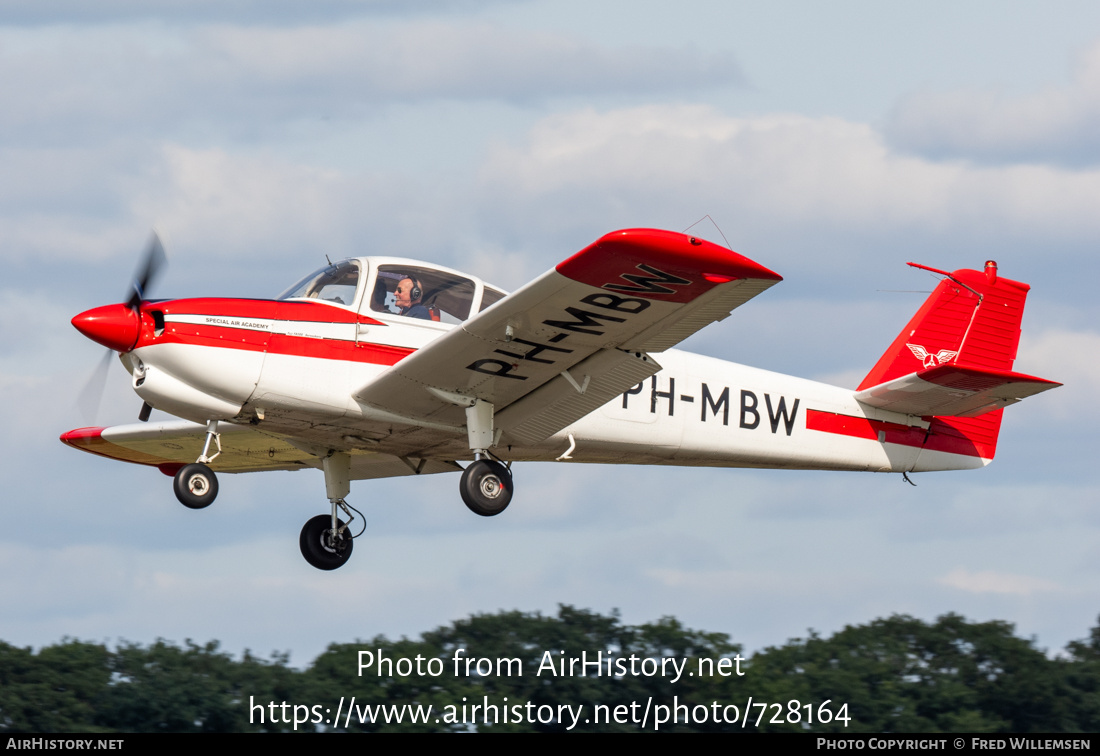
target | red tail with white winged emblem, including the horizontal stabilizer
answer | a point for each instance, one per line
(954, 361)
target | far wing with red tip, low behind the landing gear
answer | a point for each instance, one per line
(169, 446)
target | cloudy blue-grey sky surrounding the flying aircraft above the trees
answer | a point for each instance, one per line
(831, 143)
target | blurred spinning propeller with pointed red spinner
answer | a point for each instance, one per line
(112, 327)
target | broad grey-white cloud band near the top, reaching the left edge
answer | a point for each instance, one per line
(87, 85)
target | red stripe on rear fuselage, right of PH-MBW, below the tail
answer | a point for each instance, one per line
(949, 435)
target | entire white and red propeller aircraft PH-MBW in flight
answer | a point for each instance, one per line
(382, 367)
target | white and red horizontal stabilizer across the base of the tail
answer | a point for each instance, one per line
(953, 391)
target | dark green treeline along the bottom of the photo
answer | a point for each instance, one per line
(895, 675)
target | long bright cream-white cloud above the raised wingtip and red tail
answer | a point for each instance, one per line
(786, 169)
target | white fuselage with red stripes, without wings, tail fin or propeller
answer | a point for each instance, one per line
(292, 367)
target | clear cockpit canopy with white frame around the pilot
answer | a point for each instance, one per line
(398, 288)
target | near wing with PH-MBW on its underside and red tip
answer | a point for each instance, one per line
(575, 338)
